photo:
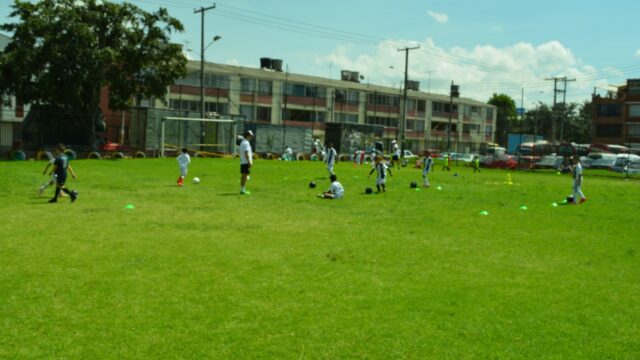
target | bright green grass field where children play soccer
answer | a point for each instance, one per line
(202, 272)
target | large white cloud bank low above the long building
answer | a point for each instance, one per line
(480, 71)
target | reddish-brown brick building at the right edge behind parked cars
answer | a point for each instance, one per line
(616, 117)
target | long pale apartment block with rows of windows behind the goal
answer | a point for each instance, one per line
(268, 95)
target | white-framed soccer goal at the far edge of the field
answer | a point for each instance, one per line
(205, 136)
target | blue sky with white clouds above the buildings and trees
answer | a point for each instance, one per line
(485, 47)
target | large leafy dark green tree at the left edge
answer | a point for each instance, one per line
(63, 52)
